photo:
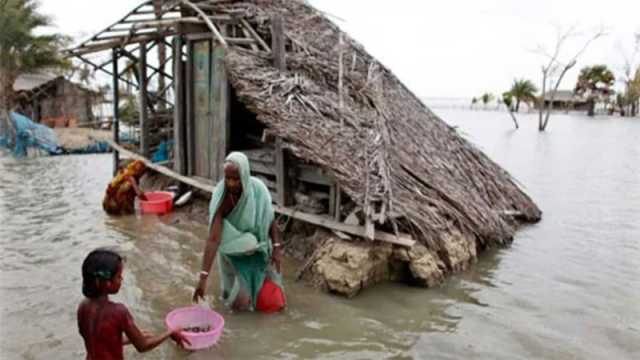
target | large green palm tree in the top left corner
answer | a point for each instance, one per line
(21, 49)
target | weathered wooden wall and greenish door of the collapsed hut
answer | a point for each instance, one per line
(210, 122)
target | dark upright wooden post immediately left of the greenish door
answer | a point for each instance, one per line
(179, 156)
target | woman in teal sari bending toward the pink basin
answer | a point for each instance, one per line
(243, 237)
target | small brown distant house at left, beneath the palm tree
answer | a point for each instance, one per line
(54, 100)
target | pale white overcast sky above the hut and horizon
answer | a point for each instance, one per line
(454, 48)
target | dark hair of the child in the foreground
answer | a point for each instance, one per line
(101, 264)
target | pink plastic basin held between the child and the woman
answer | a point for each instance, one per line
(200, 317)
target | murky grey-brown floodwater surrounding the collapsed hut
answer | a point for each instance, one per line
(568, 288)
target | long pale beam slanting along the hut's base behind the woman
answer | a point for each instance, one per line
(323, 221)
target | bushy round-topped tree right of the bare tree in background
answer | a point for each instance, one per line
(595, 82)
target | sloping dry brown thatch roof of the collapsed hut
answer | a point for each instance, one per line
(389, 153)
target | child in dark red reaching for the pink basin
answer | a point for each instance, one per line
(103, 323)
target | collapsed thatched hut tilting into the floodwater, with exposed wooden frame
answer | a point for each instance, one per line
(324, 123)
